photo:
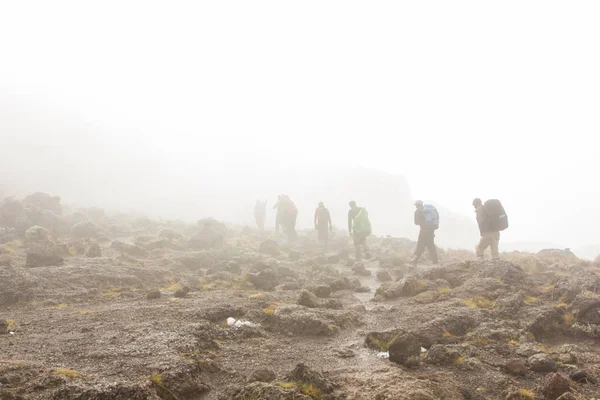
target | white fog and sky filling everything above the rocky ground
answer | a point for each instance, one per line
(195, 109)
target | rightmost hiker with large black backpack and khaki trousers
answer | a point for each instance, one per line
(491, 219)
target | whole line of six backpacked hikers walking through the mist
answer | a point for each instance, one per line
(490, 215)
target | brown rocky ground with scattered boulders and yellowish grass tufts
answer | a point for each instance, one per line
(121, 307)
